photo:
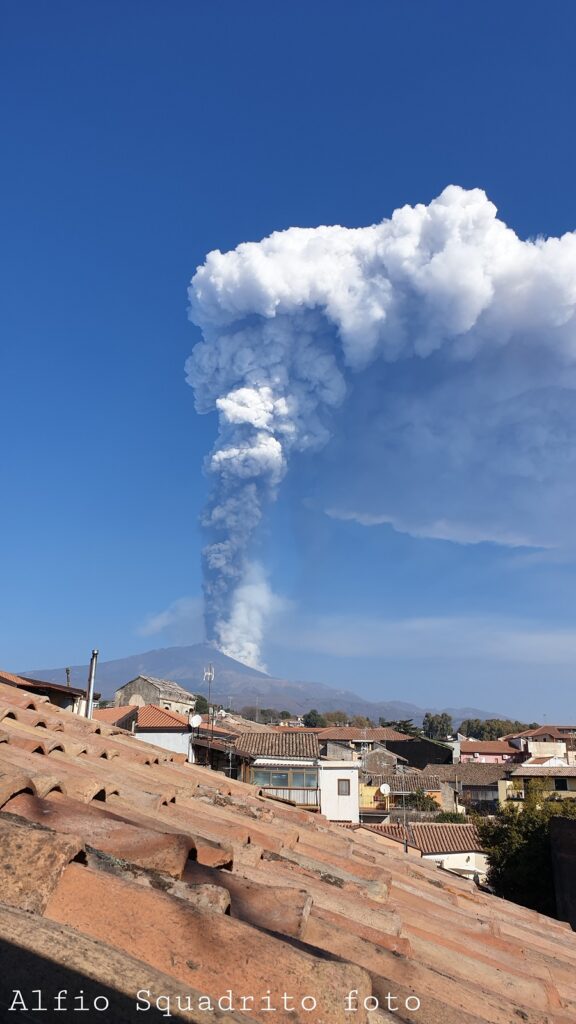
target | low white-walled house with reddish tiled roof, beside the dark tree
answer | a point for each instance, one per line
(455, 847)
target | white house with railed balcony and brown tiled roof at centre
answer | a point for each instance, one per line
(287, 766)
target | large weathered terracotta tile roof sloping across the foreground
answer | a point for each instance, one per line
(125, 869)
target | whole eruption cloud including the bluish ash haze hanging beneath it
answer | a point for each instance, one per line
(438, 346)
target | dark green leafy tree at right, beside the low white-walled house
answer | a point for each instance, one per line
(518, 844)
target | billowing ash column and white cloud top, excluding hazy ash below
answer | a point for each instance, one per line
(289, 322)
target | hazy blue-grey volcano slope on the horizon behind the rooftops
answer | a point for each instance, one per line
(239, 686)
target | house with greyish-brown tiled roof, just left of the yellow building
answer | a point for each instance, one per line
(471, 786)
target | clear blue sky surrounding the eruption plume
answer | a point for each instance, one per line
(138, 138)
